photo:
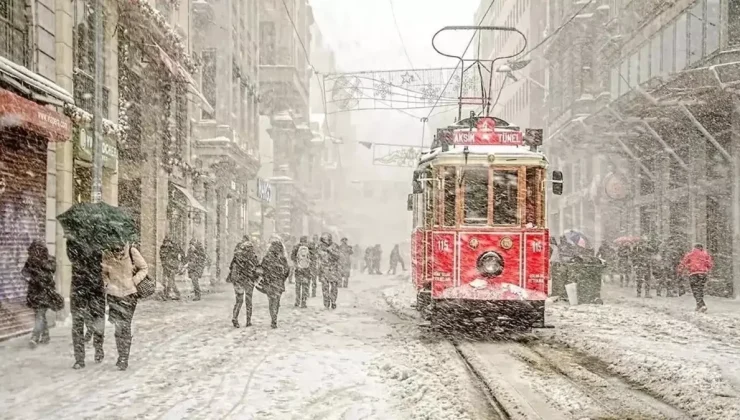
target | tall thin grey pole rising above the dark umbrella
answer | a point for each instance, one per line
(97, 152)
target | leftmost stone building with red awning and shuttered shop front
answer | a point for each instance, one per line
(35, 142)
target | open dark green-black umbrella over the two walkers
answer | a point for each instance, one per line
(99, 225)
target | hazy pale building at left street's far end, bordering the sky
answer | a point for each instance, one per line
(285, 42)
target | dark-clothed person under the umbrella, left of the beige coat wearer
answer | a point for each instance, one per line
(87, 298)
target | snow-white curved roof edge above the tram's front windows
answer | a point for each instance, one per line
(511, 155)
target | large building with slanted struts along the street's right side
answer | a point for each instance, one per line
(641, 113)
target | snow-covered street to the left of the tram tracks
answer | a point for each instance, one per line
(187, 361)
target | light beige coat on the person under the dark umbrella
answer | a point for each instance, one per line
(122, 271)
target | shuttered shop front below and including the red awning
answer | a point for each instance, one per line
(25, 130)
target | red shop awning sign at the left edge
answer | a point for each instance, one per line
(16, 109)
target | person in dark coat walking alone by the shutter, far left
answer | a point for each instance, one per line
(39, 273)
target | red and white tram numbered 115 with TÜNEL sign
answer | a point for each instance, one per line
(480, 243)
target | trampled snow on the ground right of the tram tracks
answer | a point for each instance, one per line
(696, 369)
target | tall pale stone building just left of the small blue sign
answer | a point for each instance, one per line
(225, 144)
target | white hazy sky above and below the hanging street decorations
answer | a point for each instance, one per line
(364, 37)
